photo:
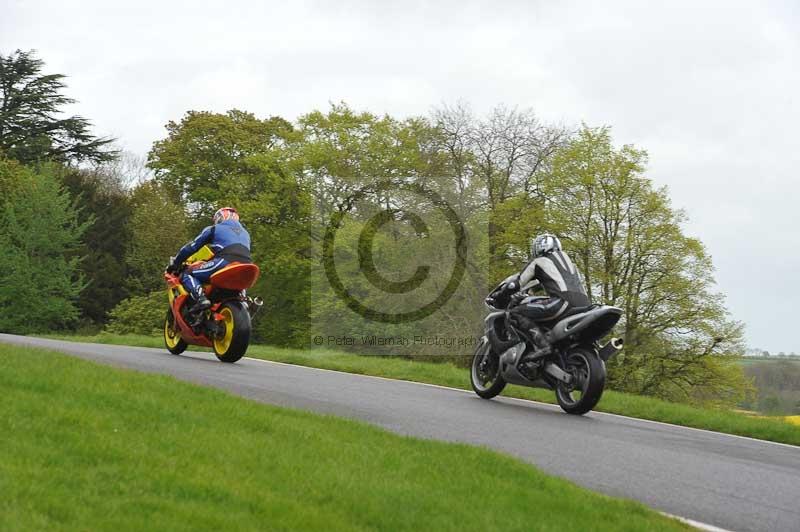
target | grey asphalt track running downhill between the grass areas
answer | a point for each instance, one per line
(727, 481)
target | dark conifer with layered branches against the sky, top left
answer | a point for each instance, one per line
(30, 127)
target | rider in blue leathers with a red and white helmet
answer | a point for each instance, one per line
(228, 240)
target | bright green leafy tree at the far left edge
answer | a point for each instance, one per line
(39, 239)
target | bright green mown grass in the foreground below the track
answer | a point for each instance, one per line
(88, 447)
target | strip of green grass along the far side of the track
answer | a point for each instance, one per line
(773, 429)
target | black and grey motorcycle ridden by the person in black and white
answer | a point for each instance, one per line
(571, 362)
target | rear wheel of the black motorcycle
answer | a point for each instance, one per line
(588, 381)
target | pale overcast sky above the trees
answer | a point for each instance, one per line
(709, 89)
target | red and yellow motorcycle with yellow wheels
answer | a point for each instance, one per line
(226, 325)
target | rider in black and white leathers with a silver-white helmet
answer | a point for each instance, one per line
(559, 278)
